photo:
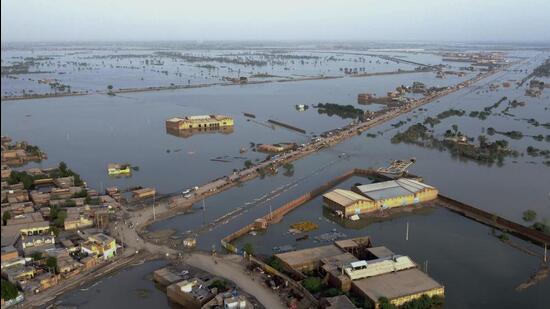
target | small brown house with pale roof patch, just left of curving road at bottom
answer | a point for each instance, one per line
(192, 294)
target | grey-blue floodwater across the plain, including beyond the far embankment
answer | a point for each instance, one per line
(97, 129)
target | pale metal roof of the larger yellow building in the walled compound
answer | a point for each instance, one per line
(392, 188)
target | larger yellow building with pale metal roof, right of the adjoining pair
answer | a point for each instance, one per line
(396, 193)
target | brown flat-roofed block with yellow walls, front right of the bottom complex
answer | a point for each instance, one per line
(398, 287)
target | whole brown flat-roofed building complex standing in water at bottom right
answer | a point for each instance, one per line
(353, 265)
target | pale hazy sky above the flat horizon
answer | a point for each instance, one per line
(430, 20)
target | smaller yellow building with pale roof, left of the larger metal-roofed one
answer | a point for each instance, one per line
(348, 203)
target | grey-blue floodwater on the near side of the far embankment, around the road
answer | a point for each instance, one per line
(476, 268)
